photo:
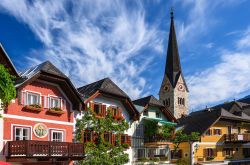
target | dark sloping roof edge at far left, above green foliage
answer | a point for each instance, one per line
(6, 61)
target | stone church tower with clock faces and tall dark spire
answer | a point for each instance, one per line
(174, 92)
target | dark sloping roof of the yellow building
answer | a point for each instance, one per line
(201, 121)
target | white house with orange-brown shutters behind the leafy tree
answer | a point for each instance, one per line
(104, 95)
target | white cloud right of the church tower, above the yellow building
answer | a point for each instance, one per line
(227, 79)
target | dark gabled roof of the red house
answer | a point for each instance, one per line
(46, 71)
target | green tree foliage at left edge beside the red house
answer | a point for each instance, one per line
(7, 88)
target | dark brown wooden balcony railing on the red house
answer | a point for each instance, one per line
(38, 149)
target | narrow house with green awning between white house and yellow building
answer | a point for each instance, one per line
(146, 144)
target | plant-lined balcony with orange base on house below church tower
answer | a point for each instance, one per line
(156, 140)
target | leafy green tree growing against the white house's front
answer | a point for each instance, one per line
(101, 152)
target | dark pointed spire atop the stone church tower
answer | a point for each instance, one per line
(173, 66)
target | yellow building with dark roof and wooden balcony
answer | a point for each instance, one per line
(224, 134)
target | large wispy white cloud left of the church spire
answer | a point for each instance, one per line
(90, 40)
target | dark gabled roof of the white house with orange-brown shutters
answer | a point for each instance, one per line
(108, 88)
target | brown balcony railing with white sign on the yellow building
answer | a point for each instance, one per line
(237, 138)
